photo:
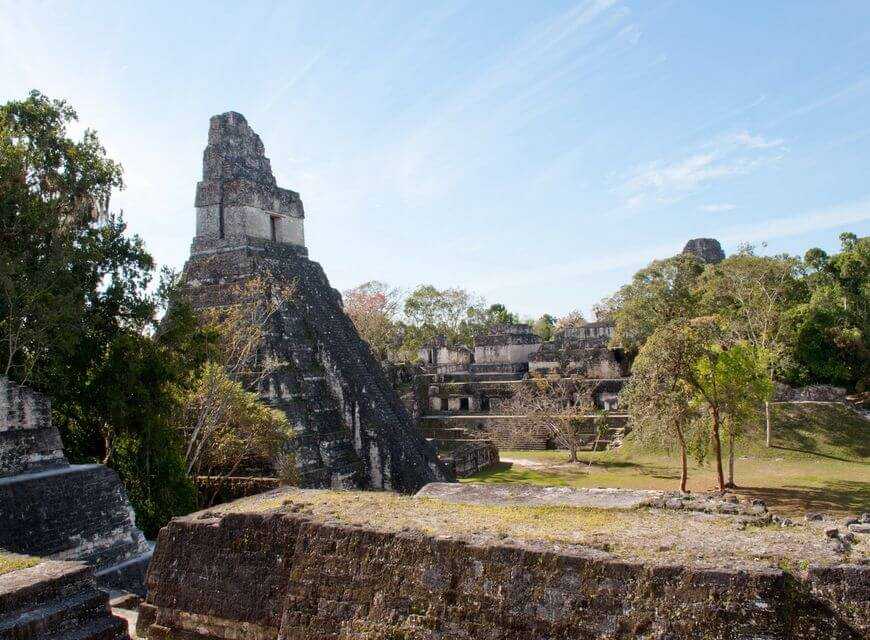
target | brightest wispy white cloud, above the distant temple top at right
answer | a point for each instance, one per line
(729, 155)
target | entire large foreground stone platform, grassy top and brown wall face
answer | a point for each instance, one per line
(323, 564)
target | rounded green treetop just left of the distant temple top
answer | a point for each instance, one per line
(664, 291)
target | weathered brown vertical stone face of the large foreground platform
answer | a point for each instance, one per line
(282, 575)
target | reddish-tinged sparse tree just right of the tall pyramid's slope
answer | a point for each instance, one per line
(373, 306)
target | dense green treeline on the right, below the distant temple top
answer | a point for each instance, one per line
(809, 315)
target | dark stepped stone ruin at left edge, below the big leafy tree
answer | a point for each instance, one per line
(55, 510)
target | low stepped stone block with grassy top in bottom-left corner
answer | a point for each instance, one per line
(55, 600)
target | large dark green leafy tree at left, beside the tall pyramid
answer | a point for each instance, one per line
(77, 320)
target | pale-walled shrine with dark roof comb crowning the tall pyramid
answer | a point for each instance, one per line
(238, 198)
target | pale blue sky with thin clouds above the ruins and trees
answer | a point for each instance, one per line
(537, 153)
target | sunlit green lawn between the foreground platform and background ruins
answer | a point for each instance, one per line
(819, 461)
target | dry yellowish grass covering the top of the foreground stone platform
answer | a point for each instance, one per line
(655, 536)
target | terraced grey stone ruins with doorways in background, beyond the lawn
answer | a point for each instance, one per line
(461, 389)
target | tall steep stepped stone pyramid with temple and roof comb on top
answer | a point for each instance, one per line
(352, 431)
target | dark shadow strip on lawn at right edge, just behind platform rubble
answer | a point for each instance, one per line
(838, 496)
